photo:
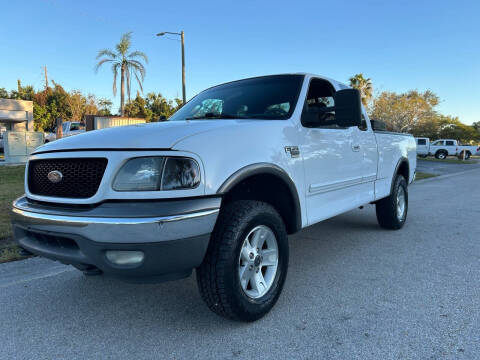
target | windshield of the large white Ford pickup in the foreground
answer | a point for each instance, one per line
(268, 97)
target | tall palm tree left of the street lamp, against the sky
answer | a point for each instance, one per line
(128, 63)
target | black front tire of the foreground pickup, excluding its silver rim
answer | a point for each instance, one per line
(217, 277)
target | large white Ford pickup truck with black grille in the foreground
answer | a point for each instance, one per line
(217, 188)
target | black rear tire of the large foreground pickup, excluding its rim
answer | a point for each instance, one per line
(387, 212)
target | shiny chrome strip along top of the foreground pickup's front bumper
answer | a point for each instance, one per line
(79, 220)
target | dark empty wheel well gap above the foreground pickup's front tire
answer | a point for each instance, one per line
(272, 190)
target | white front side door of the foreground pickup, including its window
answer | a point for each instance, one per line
(333, 159)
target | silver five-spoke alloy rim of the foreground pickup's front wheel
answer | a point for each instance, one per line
(258, 262)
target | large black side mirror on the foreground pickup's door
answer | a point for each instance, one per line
(348, 108)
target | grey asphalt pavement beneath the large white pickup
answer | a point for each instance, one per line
(353, 291)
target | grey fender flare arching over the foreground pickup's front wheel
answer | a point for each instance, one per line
(270, 169)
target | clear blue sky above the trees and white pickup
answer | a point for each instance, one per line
(400, 45)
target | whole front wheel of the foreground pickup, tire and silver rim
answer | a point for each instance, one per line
(246, 264)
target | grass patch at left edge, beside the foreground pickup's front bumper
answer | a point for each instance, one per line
(11, 187)
